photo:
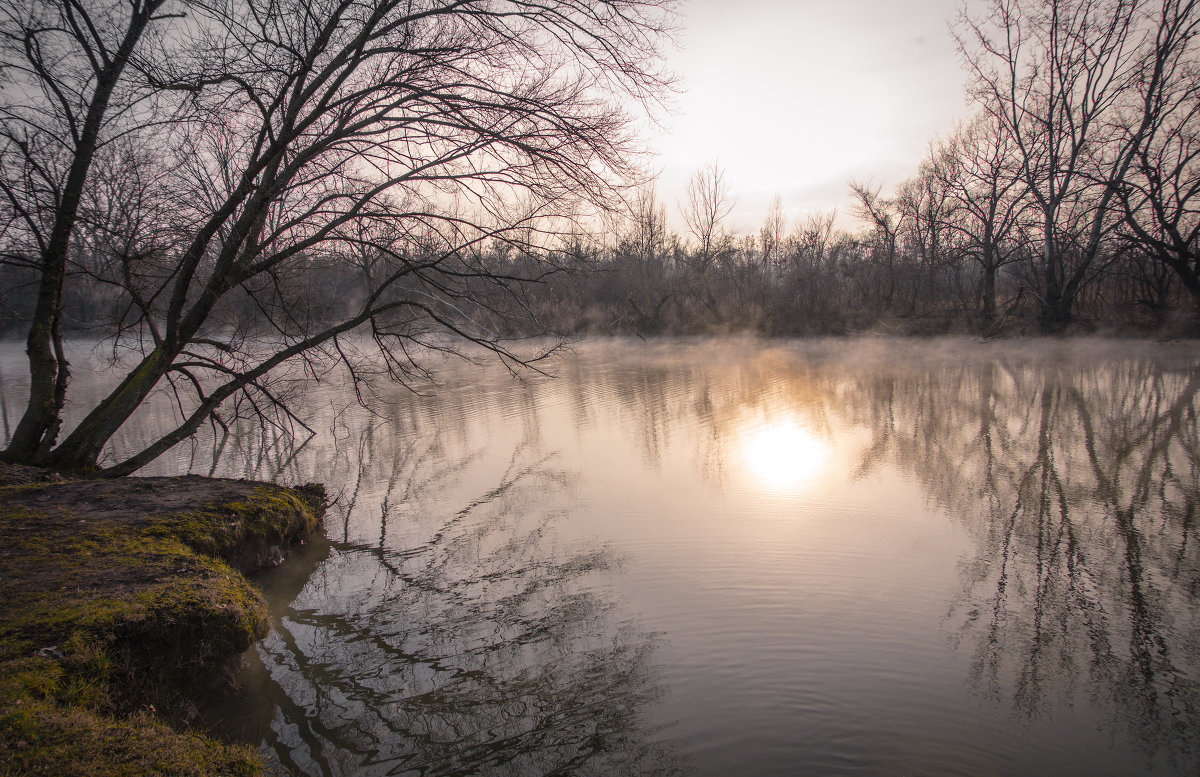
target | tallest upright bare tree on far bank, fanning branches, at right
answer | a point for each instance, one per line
(1053, 74)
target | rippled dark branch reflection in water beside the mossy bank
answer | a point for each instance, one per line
(459, 645)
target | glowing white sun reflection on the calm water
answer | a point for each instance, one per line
(783, 456)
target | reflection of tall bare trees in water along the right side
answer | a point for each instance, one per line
(1081, 485)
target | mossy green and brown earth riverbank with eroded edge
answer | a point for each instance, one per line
(125, 601)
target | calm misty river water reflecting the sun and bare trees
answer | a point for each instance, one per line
(740, 557)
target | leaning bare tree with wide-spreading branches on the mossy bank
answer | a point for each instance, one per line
(391, 135)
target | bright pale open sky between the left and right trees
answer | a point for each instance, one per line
(796, 98)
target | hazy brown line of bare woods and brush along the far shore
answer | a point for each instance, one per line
(917, 266)
